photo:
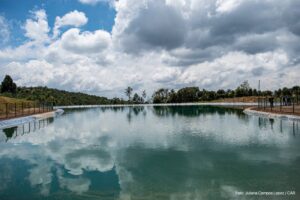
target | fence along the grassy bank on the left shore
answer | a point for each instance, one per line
(11, 110)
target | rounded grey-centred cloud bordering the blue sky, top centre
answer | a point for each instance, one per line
(155, 25)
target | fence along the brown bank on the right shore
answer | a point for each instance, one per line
(286, 104)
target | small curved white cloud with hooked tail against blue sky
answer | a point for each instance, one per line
(74, 18)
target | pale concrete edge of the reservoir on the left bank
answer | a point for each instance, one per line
(22, 120)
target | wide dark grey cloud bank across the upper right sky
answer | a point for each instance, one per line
(208, 27)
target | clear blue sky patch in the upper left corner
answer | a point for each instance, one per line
(101, 15)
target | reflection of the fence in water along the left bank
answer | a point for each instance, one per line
(26, 128)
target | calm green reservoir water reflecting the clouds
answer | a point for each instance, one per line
(187, 152)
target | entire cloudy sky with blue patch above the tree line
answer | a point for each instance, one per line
(102, 46)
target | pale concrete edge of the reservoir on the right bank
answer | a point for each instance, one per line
(249, 111)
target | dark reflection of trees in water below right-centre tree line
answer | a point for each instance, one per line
(194, 111)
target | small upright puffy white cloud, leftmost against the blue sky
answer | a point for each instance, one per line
(37, 28)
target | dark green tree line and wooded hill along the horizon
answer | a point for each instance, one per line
(162, 95)
